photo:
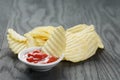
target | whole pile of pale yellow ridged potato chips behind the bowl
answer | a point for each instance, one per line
(77, 43)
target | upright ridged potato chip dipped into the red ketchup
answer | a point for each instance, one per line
(55, 45)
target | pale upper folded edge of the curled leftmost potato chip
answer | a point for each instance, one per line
(14, 35)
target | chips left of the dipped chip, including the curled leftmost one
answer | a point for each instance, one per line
(36, 37)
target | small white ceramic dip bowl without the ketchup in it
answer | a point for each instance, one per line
(38, 67)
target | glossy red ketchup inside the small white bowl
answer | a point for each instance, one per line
(37, 56)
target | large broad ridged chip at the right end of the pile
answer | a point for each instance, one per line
(82, 45)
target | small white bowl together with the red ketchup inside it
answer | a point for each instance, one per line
(37, 60)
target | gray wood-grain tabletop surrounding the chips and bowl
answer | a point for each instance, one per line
(24, 15)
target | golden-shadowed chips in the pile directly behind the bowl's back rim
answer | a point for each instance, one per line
(39, 35)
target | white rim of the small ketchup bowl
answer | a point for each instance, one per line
(24, 51)
